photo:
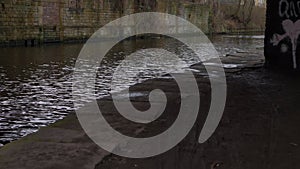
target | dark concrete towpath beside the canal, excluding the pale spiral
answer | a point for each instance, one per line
(259, 128)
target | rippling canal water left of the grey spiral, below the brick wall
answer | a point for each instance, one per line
(34, 88)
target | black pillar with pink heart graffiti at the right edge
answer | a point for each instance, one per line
(282, 47)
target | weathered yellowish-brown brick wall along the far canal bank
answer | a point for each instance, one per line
(31, 22)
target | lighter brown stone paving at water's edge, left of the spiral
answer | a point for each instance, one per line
(62, 145)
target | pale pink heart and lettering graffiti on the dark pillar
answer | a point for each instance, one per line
(292, 29)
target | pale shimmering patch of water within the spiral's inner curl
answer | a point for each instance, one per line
(144, 64)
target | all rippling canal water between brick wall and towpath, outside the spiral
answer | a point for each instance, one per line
(35, 82)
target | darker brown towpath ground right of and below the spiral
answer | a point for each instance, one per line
(259, 129)
